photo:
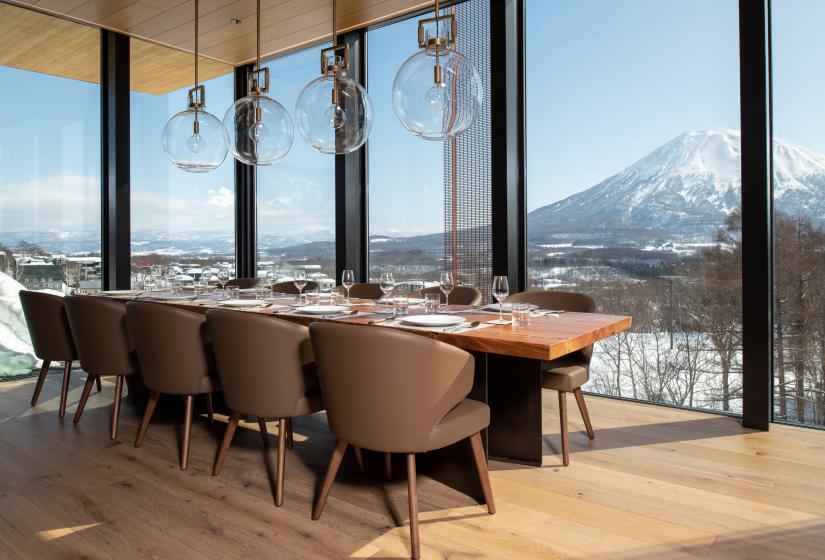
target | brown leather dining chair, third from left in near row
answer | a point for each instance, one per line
(175, 359)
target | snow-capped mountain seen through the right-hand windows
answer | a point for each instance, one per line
(686, 186)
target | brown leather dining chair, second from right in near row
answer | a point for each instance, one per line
(267, 370)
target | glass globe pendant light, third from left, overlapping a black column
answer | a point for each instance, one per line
(333, 111)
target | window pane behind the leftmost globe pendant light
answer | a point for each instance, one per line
(178, 218)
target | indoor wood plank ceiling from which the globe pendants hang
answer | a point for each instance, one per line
(285, 24)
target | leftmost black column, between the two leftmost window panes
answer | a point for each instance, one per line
(114, 158)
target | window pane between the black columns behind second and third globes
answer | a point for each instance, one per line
(296, 196)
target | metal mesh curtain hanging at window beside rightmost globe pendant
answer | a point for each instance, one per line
(467, 178)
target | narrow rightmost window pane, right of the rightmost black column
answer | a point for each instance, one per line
(799, 211)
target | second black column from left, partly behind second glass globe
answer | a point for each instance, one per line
(246, 232)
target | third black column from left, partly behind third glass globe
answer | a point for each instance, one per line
(351, 244)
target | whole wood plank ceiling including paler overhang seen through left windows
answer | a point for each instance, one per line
(31, 38)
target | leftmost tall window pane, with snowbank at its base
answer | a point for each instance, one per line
(49, 170)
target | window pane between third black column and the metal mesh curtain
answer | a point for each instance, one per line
(406, 175)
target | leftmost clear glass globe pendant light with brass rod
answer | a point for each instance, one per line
(192, 139)
